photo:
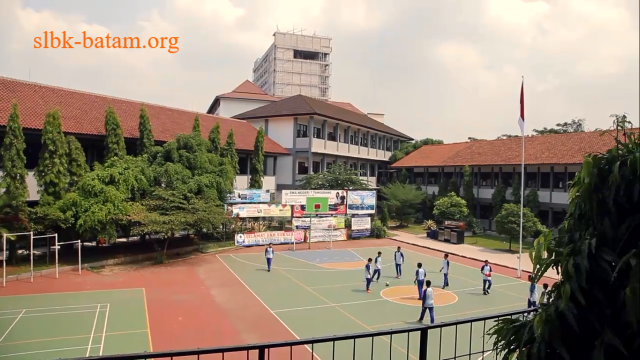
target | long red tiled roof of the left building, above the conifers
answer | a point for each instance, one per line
(83, 113)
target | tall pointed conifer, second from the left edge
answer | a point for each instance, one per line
(52, 173)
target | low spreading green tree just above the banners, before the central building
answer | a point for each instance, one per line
(338, 176)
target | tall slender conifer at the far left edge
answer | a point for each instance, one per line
(14, 175)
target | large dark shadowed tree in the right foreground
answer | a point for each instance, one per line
(593, 312)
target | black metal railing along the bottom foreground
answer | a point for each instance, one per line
(415, 342)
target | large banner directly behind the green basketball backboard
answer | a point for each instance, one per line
(316, 202)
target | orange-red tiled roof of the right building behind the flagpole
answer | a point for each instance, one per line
(544, 149)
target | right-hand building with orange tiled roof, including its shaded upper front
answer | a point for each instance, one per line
(551, 162)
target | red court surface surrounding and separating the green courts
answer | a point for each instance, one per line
(199, 302)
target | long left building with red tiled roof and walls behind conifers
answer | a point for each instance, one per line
(83, 116)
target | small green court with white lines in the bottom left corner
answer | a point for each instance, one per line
(73, 324)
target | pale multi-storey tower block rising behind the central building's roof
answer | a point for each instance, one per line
(295, 64)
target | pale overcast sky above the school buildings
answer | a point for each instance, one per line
(442, 69)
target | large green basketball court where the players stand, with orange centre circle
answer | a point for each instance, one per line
(322, 292)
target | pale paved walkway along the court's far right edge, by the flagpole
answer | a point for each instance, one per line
(469, 251)
